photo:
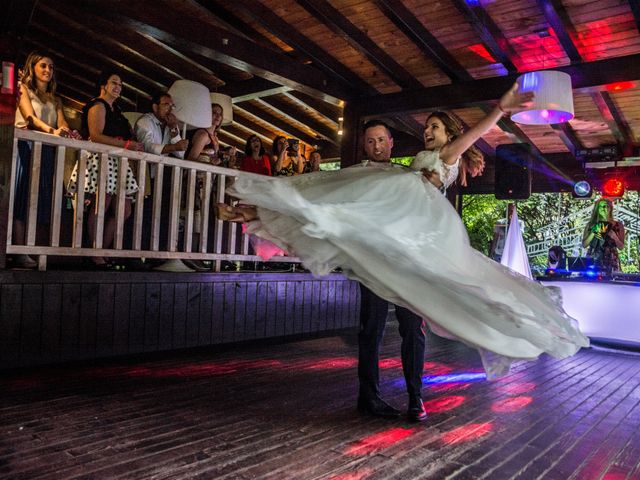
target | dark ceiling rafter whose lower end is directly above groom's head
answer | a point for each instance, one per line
(292, 37)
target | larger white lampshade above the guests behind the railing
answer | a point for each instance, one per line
(192, 103)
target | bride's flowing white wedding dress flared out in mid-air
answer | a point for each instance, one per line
(398, 235)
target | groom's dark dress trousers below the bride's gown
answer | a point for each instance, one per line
(373, 318)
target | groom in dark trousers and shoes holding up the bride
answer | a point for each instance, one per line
(373, 317)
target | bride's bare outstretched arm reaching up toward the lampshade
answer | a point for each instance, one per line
(512, 100)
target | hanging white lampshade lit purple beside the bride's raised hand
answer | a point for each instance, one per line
(553, 101)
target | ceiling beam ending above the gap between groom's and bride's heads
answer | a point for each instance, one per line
(338, 23)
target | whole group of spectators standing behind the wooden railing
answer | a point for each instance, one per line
(102, 121)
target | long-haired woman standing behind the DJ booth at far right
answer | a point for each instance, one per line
(603, 236)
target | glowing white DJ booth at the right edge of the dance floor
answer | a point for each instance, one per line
(607, 307)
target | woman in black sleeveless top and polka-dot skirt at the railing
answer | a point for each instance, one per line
(103, 122)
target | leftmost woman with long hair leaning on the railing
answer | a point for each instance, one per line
(38, 109)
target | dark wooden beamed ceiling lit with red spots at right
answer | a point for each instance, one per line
(293, 65)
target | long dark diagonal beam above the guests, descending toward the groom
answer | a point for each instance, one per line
(230, 49)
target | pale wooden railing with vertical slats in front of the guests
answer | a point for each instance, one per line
(224, 242)
